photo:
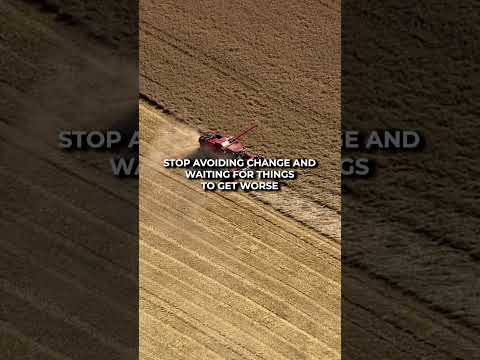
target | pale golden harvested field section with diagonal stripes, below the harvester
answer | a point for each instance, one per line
(221, 275)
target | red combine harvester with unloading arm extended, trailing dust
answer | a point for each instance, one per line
(217, 144)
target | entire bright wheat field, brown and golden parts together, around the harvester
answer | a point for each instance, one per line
(230, 275)
